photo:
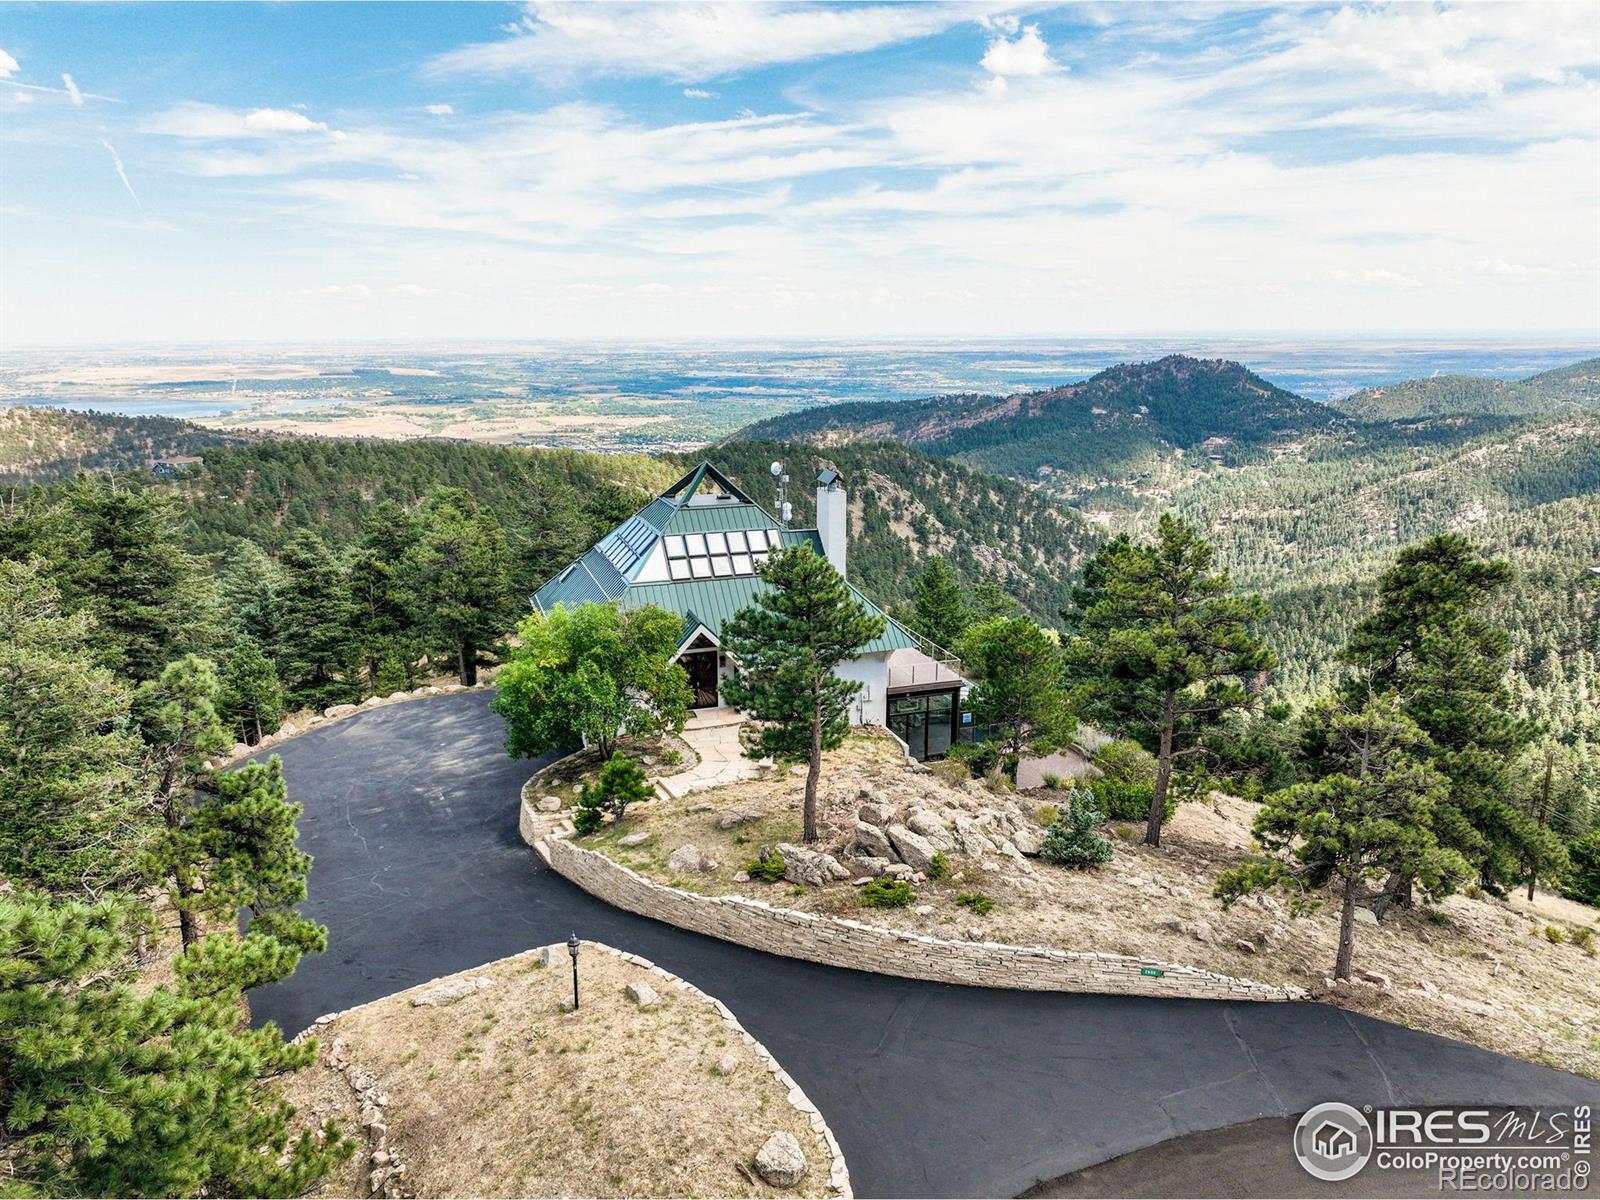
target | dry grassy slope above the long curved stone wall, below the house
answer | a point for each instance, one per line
(1497, 977)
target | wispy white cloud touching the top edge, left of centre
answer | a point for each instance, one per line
(694, 42)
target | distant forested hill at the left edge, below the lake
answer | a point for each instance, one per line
(46, 444)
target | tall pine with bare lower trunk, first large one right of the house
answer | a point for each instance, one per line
(1162, 647)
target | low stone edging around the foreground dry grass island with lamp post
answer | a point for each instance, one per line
(388, 1180)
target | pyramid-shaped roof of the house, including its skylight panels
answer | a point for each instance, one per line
(692, 551)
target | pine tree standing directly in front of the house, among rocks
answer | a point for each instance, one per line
(806, 622)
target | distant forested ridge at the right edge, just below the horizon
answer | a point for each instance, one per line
(1562, 390)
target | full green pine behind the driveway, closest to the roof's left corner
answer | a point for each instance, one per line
(460, 580)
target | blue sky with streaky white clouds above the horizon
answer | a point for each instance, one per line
(295, 172)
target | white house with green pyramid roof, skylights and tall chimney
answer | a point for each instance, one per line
(695, 550)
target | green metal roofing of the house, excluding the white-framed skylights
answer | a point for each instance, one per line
(609, 570)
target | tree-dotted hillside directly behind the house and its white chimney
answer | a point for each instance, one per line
(906, 508)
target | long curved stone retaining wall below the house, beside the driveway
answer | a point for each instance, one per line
(839, 942)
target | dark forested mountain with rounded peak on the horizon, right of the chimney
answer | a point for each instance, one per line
(1111, 426)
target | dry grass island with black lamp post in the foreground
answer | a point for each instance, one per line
(505, 1095)
